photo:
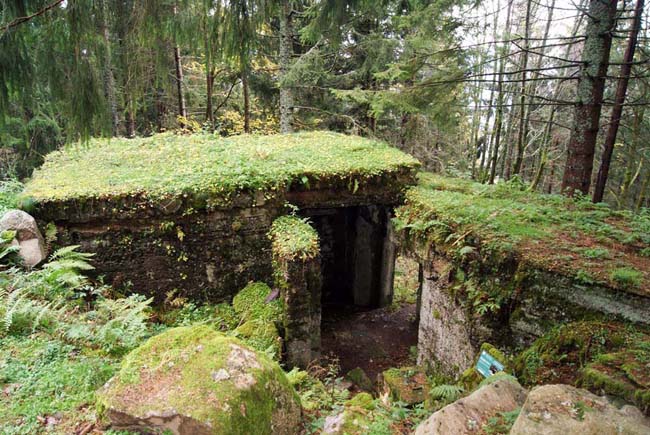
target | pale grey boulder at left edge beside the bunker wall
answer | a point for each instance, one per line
(28, 238)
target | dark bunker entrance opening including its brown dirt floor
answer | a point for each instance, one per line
(360, 324)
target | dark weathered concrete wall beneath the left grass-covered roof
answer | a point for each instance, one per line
(203, 256)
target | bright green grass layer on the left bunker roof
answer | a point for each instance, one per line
(167, 165)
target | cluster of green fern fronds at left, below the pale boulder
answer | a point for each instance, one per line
(48, 299)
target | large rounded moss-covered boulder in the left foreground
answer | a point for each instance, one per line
(194, 380)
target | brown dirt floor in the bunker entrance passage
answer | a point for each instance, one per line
(374, 340)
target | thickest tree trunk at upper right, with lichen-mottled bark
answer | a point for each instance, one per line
(595, 56)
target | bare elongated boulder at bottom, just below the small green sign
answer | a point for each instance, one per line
(469, 414)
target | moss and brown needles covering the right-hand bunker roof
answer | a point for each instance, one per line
(590, 242)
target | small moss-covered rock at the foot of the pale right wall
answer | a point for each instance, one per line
(406, 384)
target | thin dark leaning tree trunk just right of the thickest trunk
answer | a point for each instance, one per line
(621, 91)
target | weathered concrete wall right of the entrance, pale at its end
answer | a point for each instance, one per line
(451, 331)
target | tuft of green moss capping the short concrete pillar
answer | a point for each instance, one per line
(294, 238)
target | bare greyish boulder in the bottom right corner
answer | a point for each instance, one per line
(563, 409)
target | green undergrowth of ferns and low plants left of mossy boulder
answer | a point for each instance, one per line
(61, 337)
